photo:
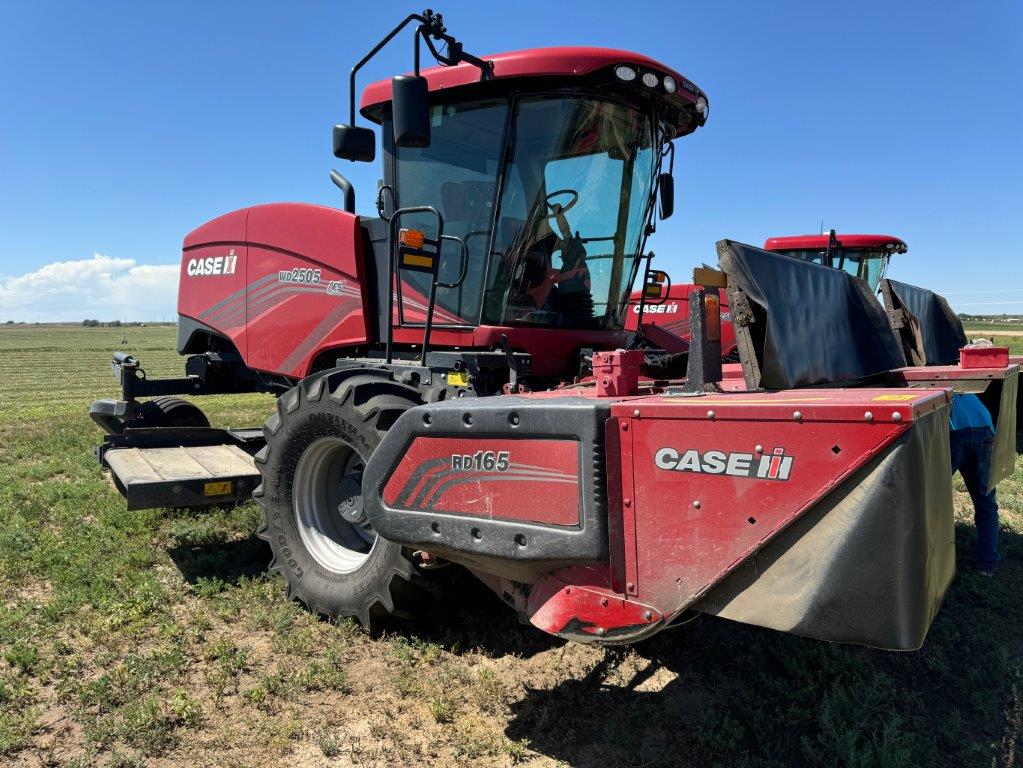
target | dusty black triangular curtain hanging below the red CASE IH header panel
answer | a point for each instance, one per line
(870, 564)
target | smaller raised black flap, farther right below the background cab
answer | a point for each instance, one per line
(930, 332)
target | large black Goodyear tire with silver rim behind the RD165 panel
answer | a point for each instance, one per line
(318, 445)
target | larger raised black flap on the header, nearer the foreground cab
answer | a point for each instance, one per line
(799, 324)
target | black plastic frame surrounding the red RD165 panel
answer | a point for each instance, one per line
(496, 546)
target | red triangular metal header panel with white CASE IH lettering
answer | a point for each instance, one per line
(711, 491)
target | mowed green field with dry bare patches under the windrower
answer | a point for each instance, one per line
(158, 639)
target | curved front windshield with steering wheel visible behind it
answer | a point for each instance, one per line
(572, 212)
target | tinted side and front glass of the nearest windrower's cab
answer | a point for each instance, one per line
(554, 232)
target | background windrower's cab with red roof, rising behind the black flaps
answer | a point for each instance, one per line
(863, 256)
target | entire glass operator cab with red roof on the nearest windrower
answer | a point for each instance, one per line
(538, 180)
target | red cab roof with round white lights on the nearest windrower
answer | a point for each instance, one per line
(557, 63)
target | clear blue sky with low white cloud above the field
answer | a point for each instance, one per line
(124, 125)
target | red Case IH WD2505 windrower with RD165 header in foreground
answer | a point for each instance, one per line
(456, 383)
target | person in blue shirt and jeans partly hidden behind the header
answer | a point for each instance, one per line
(971, 439)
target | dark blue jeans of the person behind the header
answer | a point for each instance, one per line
(971, 449)
